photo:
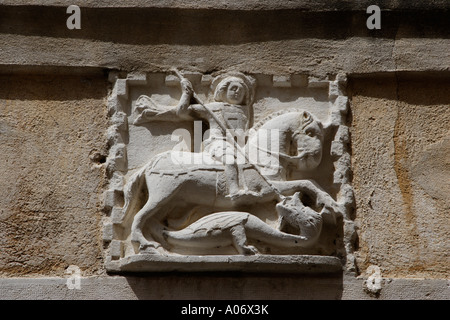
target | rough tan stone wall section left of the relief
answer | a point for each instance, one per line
(52, 135)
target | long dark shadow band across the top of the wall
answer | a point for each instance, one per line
(205, 27)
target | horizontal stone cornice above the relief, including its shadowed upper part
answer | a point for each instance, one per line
(236, 37)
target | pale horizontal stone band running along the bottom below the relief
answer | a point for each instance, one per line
(224, 287)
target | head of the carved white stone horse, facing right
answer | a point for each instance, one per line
(306, 142)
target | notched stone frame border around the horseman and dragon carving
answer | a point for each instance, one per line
(116, 167)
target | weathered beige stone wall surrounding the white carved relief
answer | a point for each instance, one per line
(54, 92)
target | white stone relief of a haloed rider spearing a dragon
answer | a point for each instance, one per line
(246, 187)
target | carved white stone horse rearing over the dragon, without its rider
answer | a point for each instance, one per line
(170, 181)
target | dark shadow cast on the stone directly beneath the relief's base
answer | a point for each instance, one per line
(234, 286)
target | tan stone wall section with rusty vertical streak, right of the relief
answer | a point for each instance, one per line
(401, 152)
